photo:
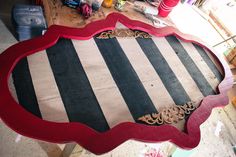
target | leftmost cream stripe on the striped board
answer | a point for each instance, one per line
(47, 93)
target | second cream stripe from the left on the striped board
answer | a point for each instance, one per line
(109, 97)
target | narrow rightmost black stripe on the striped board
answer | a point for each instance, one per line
(209, 62)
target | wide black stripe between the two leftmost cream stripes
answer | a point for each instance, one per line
(76, 92)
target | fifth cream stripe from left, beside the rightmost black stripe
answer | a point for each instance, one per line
(203, 67)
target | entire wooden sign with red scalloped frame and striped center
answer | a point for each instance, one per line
(104, 84)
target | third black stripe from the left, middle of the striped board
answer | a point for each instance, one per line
(128, 82)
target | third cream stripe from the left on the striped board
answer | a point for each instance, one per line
(147, 74)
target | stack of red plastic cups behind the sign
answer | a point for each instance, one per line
(166, 7)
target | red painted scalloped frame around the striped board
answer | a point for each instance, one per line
(29, 125)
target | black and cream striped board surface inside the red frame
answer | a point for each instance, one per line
(104, 82)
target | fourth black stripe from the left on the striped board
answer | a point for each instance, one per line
(164, 71)
